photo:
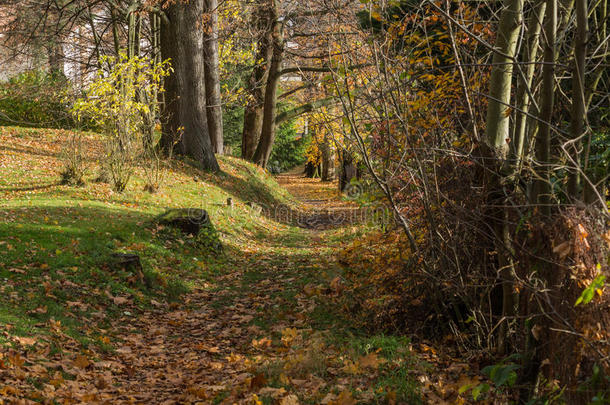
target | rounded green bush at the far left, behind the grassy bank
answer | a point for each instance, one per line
(36, 99)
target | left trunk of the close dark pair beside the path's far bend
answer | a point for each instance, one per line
(253, 114)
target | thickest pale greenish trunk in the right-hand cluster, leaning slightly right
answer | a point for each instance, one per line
(498, 117)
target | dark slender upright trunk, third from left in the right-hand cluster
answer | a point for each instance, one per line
(542, 185)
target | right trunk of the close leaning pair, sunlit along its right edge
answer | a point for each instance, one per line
(267, 138)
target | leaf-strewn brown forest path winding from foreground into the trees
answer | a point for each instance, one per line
(257, 334)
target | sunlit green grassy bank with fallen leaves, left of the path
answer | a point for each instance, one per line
(57, 241)
